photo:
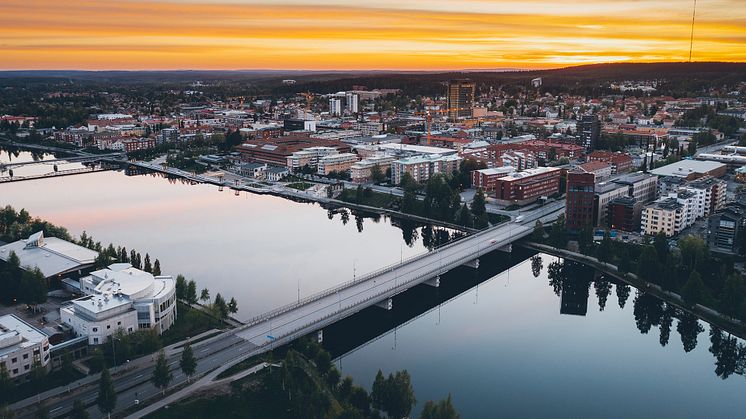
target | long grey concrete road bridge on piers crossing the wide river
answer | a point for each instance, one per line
(314, 312)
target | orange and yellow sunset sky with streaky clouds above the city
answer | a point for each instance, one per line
(363, 35)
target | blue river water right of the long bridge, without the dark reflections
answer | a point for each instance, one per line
(503, 349)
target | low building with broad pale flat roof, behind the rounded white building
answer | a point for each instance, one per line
(54, 257)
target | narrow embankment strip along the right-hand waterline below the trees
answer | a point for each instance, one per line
(724, 322)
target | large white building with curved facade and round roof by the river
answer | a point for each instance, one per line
(121, 298)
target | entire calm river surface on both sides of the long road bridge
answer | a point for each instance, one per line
(495, 338)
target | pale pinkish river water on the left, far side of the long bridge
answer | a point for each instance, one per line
(257, 248)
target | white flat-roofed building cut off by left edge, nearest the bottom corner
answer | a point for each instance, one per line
(21, 345)
